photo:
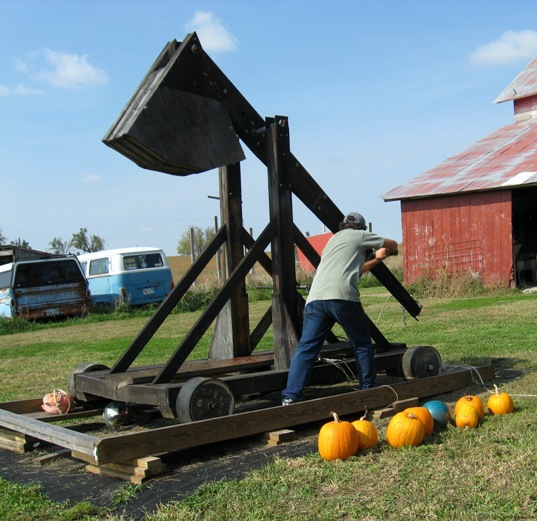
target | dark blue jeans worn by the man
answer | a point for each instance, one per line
(319, 318)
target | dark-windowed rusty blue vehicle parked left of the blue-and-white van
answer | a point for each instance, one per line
(43, 288)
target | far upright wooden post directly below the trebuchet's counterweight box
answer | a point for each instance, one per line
(232, 333)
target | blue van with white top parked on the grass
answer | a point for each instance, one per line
(131, 276)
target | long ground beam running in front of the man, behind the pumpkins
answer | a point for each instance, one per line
(177, 437)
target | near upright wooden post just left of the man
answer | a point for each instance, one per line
(285, 316)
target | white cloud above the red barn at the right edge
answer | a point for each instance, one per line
(509, 48)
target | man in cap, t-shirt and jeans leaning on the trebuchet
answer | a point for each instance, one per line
(334, 297)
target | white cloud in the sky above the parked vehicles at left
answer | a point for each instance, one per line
(70, 71)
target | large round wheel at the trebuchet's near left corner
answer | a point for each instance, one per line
(203, 398)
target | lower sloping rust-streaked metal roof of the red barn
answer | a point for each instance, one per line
(505, 158)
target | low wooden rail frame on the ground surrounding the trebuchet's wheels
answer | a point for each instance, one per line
(123, 447)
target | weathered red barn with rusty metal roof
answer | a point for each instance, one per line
(476, 213)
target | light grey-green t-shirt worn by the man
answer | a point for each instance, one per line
(338, 272)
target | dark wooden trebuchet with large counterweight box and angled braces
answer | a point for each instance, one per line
(187, 117)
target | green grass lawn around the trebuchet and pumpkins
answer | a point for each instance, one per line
(479, 474)
